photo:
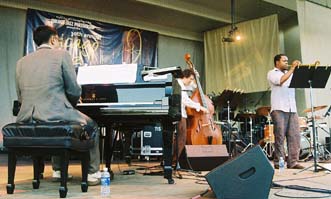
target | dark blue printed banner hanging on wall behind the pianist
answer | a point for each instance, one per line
(95, 43)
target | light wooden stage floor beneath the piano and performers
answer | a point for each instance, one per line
(154, 186)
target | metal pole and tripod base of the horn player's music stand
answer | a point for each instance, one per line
(315, 165)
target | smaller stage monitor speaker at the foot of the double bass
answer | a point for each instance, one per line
(204, 157)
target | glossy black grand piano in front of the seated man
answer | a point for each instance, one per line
(130, 106)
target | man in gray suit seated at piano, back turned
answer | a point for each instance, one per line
(48, 91)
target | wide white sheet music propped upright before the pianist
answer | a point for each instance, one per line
(107, 74)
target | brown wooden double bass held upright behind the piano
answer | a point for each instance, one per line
(201, 129)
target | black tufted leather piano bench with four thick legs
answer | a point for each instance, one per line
(42, 139)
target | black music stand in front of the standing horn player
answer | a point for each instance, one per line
(311, 77)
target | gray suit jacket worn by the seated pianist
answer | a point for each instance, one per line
(47, 87)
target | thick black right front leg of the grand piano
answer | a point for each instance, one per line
(168, 129)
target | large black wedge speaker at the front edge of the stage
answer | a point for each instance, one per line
(245, 177)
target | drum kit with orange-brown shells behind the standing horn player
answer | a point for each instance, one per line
(257, 128)
